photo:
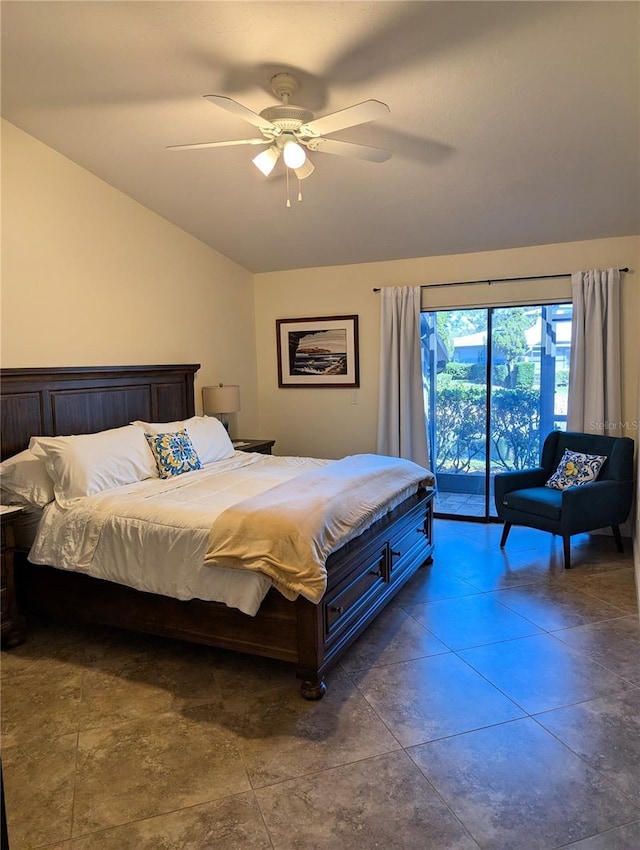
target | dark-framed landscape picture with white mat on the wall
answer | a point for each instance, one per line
(319, 352)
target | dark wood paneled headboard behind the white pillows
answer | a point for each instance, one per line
(69, 400)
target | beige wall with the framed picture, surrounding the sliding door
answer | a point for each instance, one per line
(325, 422)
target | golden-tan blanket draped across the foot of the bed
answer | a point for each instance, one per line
(289, 531)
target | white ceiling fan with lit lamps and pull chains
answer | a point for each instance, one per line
(288, 129)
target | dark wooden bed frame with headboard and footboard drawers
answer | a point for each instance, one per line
(362, 576)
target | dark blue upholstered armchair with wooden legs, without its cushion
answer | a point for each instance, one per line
(522, 499)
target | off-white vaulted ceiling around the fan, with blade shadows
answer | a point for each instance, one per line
(512, 123)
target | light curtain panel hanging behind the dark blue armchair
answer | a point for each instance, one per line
(595, 405)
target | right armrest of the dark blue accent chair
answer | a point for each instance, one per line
(597, 504)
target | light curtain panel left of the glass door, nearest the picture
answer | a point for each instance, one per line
(402, 429)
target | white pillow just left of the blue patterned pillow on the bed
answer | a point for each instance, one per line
(85, 464)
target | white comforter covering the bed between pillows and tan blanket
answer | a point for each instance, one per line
(153, 535)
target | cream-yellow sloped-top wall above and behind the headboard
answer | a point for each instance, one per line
(91, 277)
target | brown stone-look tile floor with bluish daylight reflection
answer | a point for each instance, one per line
(494, 705)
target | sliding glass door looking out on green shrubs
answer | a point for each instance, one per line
(496, 382)
